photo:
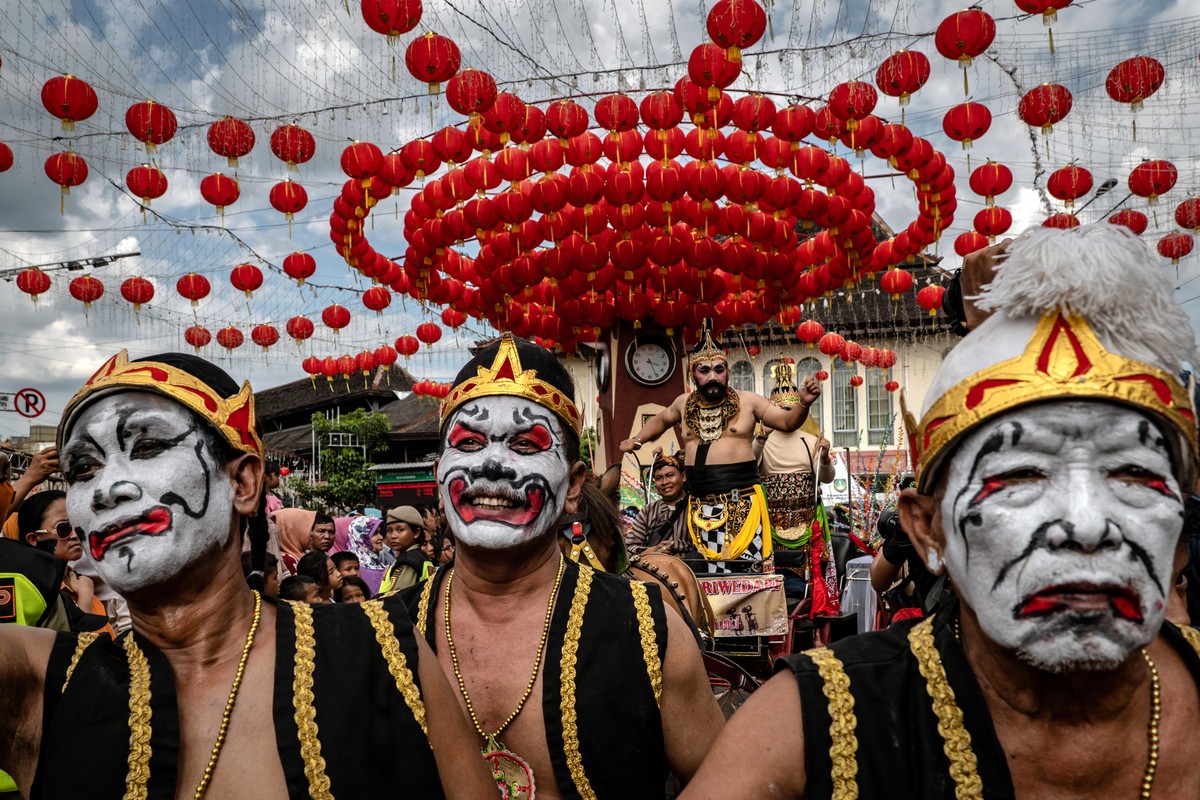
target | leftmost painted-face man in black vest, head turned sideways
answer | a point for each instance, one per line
(215, 690)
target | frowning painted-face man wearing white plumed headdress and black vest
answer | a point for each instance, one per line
(1054, 454)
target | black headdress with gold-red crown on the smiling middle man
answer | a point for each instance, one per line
(508, 377)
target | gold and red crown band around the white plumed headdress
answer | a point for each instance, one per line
(1064, 360)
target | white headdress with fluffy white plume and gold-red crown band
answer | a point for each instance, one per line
(1078, 315)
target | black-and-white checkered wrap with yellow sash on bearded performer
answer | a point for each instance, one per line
(728, 516)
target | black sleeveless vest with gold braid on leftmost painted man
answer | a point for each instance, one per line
(357, 733)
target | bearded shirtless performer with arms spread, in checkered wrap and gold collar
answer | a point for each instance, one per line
(727, 507)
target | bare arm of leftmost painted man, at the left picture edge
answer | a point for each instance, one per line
(25, 654)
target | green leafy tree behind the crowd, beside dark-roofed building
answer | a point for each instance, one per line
(346, 480)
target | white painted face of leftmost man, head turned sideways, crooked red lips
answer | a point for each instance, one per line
(143, 490)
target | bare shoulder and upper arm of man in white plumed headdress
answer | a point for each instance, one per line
(769, 726)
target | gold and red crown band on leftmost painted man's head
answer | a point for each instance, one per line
(233, 417)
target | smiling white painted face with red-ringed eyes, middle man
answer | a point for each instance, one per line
(503, 472)
